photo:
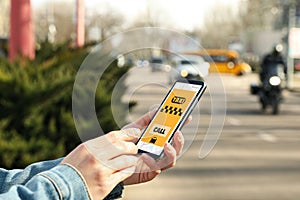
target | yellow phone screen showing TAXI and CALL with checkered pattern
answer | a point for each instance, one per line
(167, 117)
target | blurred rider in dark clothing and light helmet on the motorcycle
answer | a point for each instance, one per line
(270, 60)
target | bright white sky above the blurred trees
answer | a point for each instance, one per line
(183, 14)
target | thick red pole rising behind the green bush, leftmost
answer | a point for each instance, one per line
(21, 39)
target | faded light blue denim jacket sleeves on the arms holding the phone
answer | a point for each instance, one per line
(46, 180)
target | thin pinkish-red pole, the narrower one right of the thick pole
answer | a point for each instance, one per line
(80, 23)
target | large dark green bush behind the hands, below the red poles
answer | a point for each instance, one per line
(36, 121)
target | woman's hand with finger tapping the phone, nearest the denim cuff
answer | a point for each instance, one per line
(106, 161)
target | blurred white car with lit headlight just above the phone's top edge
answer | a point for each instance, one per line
(188, 67)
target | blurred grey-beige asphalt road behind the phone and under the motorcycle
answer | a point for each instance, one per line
(257, 156)
